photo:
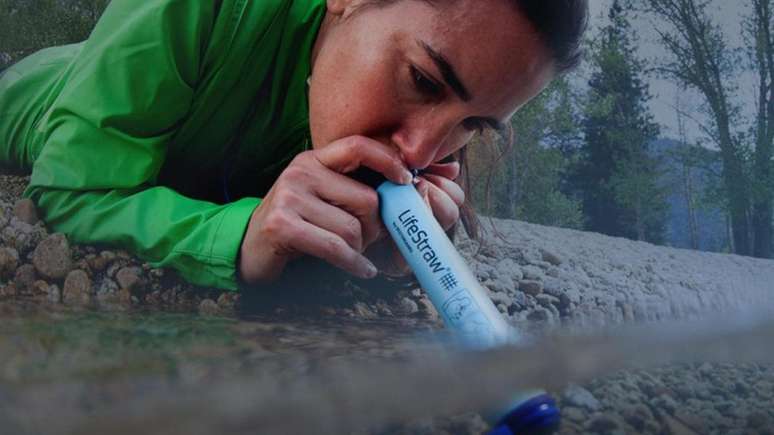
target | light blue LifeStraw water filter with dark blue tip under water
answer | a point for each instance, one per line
(459, 298)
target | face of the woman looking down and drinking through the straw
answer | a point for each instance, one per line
(422, 77)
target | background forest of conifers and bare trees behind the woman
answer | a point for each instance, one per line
(587, 153)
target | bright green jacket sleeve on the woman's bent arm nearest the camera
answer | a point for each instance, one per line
(105, 141)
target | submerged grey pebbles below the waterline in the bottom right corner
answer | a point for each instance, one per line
(665, 401)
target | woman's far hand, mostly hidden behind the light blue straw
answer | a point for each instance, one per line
(444, 196)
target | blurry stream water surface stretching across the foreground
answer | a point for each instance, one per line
(87, 372)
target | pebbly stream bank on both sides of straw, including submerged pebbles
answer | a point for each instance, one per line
(539, 277)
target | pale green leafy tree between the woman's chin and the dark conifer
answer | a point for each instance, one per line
(526, 184)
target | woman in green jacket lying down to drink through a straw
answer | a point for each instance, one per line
(161, 132)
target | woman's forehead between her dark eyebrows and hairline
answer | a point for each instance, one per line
(492, 47)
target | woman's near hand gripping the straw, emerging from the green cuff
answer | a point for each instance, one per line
(314, 209)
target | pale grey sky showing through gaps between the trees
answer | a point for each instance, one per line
(727, 13)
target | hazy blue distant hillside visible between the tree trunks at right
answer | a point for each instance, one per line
(712, 235)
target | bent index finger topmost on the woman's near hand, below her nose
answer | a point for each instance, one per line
(348, 154)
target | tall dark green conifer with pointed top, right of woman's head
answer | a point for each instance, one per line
(616, 175)
